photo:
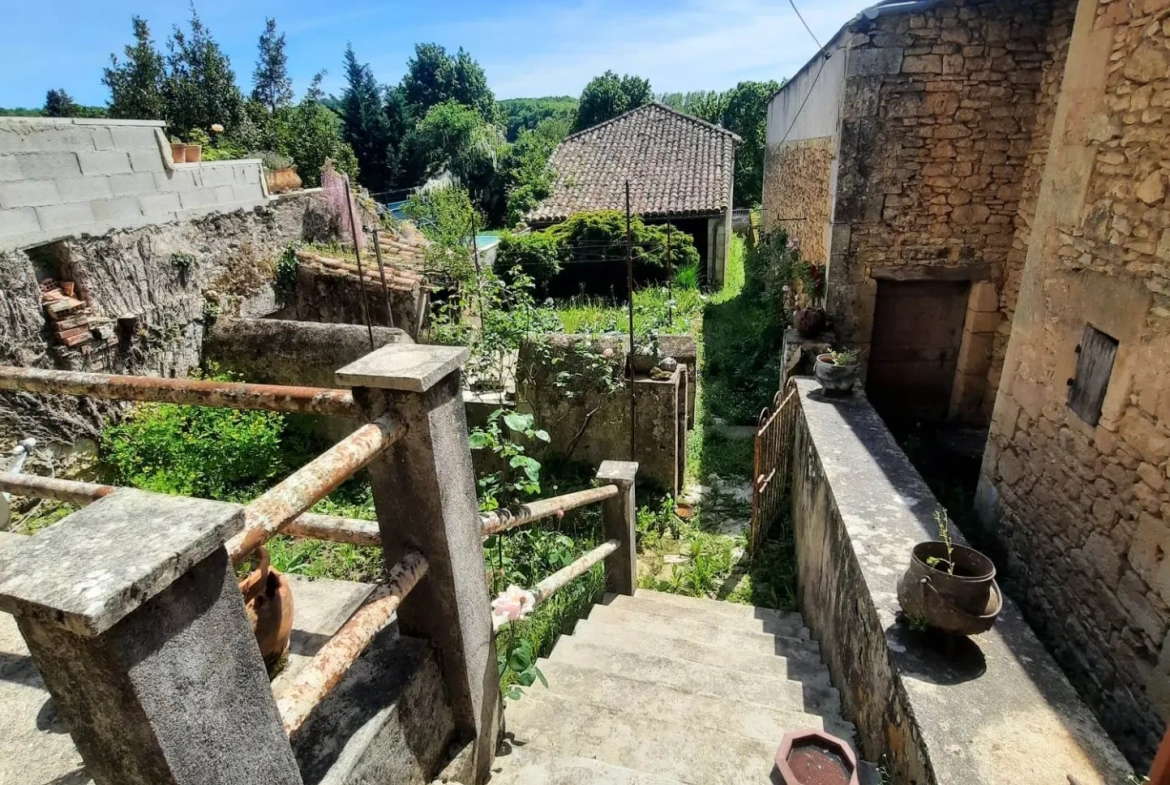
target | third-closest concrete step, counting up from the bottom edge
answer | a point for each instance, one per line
(718, 683)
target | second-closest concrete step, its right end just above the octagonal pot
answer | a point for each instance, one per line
(635, 694)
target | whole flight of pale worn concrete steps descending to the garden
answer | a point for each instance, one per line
(660, 690)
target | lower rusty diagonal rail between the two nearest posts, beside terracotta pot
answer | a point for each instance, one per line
(334, 660)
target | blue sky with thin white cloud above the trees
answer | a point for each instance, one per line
(527, 49)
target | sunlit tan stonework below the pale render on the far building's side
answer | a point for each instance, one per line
(797, 195)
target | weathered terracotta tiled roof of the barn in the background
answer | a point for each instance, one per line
(678, 167)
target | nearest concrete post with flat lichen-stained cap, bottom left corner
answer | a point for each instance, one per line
(132, 612)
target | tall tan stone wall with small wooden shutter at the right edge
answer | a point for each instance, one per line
(1084, 511)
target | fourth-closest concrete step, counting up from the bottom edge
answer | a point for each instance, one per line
(801, 666)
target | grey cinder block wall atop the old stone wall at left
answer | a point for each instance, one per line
(64, 178)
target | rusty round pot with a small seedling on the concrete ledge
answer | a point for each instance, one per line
(948, 587)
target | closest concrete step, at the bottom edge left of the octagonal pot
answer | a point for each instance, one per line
(678, 750)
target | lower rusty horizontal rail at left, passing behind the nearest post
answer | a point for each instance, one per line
(308, 526)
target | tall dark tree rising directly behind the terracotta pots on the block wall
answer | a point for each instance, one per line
(201, 87)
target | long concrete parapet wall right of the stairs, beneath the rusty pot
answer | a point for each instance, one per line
(996, 710)
